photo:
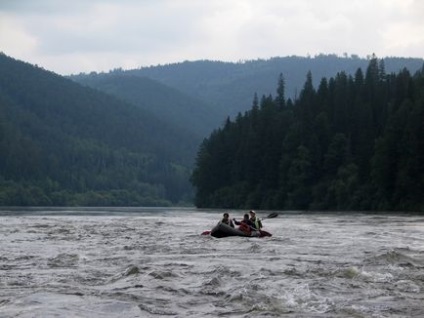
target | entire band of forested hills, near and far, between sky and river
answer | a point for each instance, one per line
(353, 141)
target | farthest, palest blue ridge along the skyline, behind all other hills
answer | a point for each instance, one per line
(230, 87)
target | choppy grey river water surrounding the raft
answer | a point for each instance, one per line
(121, 263)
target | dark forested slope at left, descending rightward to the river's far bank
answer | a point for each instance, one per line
(65, 144)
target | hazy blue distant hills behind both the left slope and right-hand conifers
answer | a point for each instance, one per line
(200, 95)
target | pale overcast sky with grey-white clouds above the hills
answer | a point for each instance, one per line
(72, 36)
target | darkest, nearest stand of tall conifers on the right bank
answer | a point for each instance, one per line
(355, 142)
